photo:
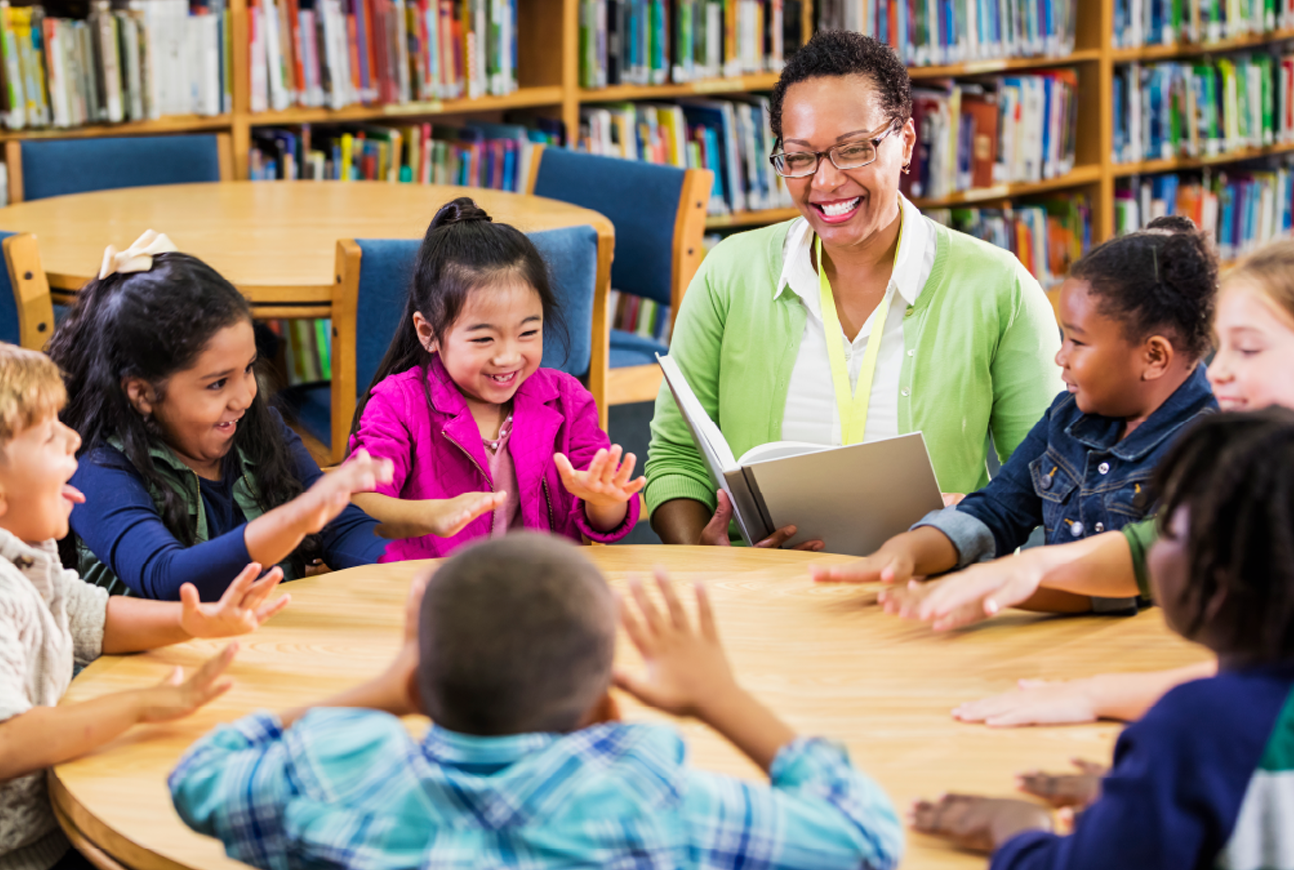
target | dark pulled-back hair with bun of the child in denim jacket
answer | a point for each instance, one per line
(1160, 280)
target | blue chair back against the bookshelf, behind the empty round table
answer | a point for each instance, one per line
(60, 166)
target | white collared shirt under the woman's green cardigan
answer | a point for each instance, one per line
(812, 414)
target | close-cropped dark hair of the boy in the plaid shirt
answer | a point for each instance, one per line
(516, 636)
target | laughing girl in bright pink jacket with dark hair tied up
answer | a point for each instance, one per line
(485, 441)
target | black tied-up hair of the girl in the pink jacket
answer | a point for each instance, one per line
(463, 252)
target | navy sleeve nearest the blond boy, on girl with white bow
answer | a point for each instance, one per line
(122, 528)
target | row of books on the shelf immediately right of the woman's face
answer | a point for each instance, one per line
(1006, 130)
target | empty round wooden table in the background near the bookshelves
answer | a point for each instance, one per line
(274, 240)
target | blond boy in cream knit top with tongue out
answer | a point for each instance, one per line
(51, 619)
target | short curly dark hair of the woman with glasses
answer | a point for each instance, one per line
(844, 52)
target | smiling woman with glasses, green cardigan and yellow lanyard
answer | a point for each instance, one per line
(860, 320)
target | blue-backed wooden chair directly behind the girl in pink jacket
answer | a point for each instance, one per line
(373, 280)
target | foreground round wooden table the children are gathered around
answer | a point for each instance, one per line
(824, 657)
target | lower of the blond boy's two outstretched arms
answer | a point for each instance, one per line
(43, 737)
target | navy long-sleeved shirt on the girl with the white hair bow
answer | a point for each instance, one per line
(121, 525)
